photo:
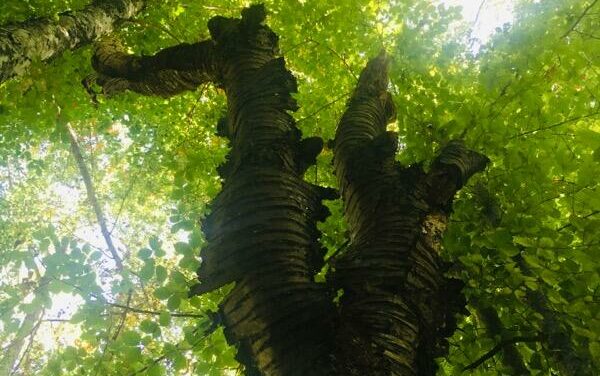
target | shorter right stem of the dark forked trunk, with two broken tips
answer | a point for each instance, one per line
(397, 306)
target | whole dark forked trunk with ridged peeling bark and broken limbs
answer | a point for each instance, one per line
(397, 307)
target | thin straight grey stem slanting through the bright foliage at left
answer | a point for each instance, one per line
(91, 194)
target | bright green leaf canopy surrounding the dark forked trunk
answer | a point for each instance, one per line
(527, 99)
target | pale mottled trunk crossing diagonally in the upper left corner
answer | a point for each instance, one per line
(45, 38)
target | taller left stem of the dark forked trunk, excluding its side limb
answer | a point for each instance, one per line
(261, 231)
